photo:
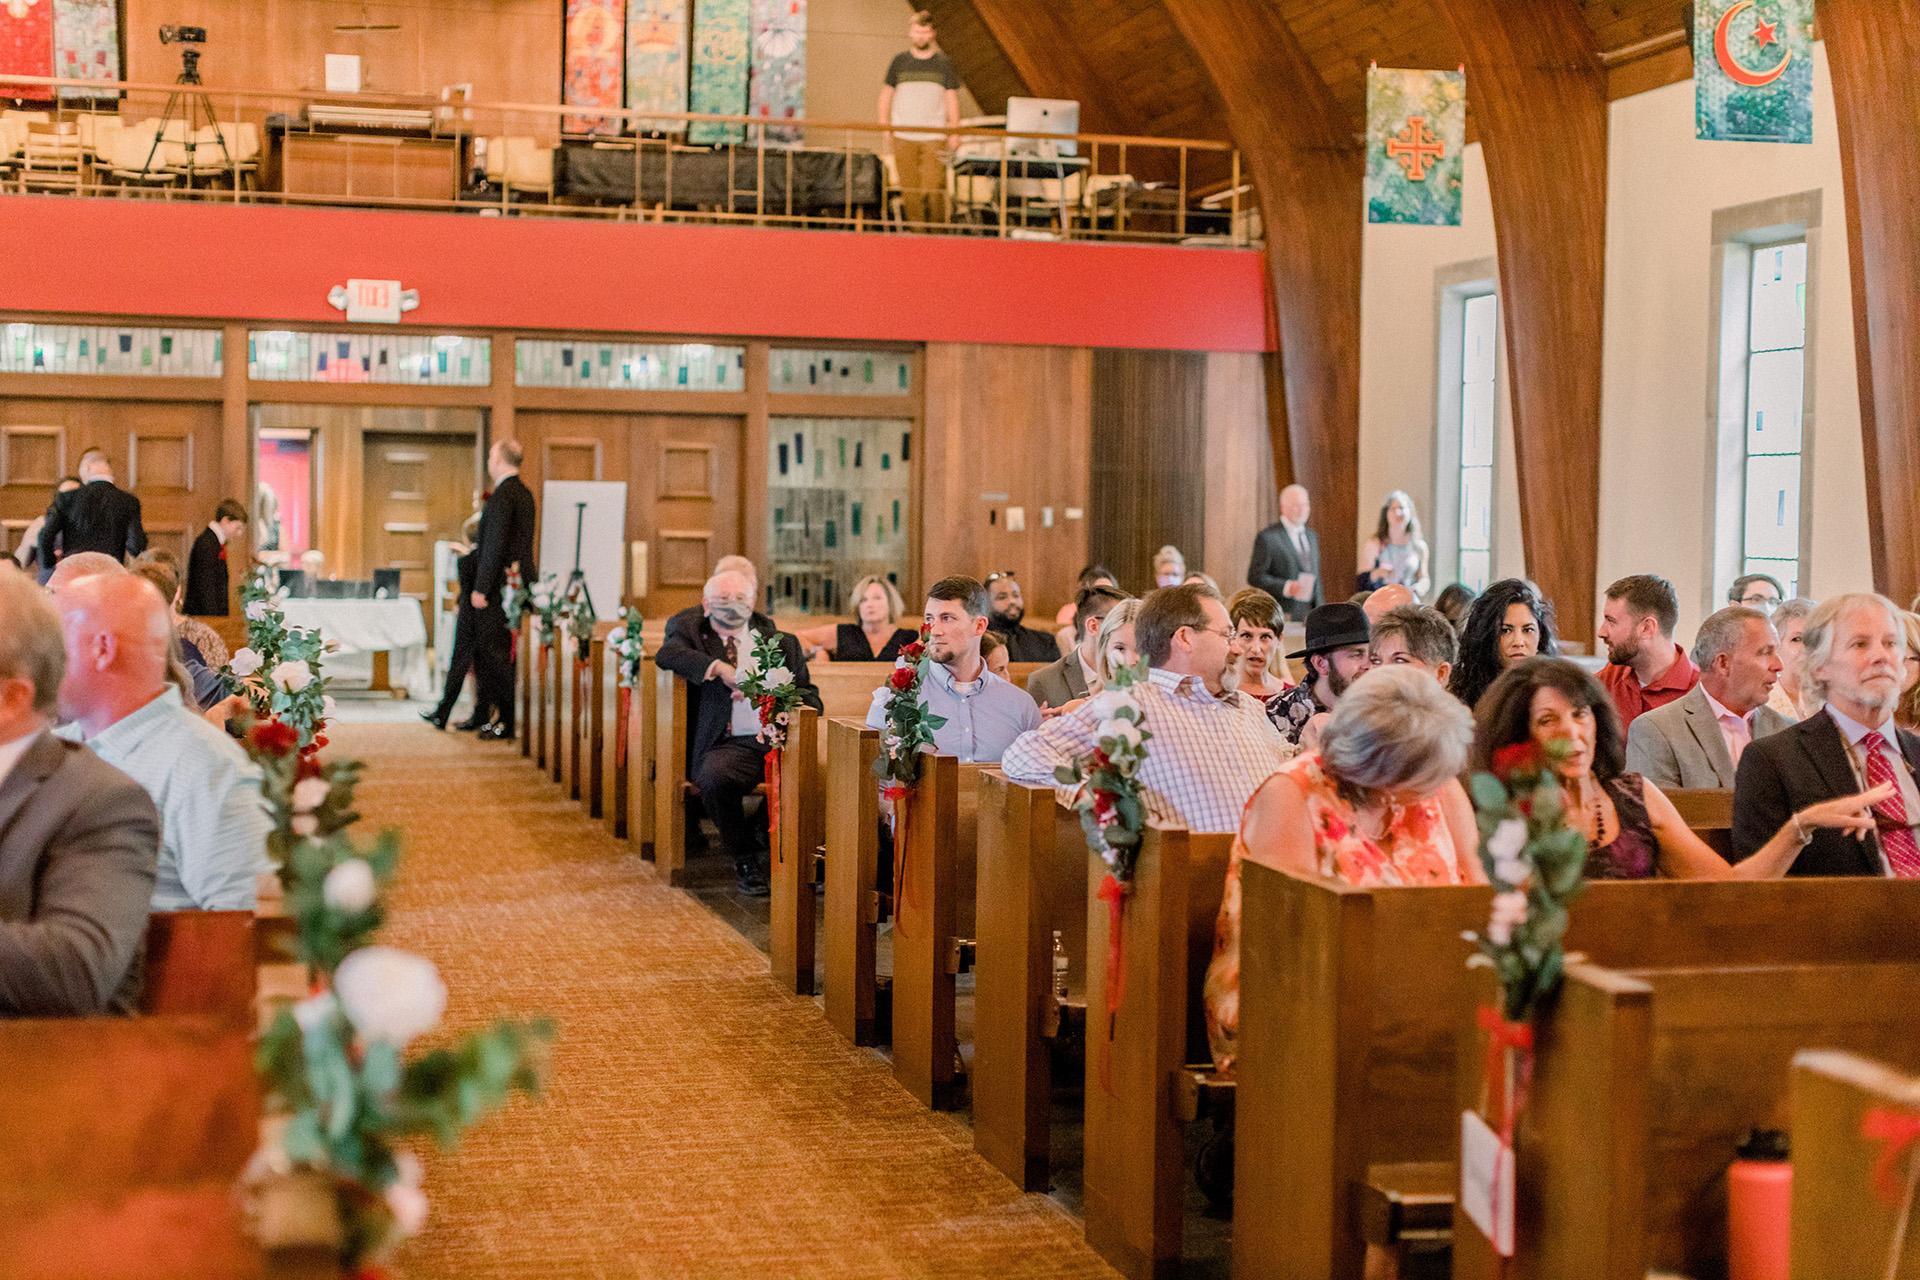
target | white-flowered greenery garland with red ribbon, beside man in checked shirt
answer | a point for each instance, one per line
(1113, 807)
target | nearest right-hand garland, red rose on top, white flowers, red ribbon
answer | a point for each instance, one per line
(1535, 865)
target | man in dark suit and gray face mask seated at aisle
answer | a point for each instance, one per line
(725, 755)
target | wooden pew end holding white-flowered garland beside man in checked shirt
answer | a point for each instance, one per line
(1136, 1164)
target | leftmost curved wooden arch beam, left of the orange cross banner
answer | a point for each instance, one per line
(1307, 166)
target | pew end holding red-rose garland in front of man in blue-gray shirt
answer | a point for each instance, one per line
(934, 928)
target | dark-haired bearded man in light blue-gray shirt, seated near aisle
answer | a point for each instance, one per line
(982, 711)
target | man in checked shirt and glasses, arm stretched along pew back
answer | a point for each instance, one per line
(1211, 746)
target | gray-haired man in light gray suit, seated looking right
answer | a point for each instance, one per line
(1696, 740)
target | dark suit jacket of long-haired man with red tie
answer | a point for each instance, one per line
(1787, 772)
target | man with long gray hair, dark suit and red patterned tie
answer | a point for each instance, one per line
(1854, 659)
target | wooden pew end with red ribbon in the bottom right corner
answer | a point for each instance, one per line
(1842, 1223)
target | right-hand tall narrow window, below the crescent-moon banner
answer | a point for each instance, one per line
(1777, 369)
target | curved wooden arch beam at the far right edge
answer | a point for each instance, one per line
(1873, 51)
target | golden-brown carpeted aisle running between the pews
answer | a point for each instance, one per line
(700, 1124)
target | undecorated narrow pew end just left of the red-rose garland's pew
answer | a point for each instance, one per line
(853, 868)
